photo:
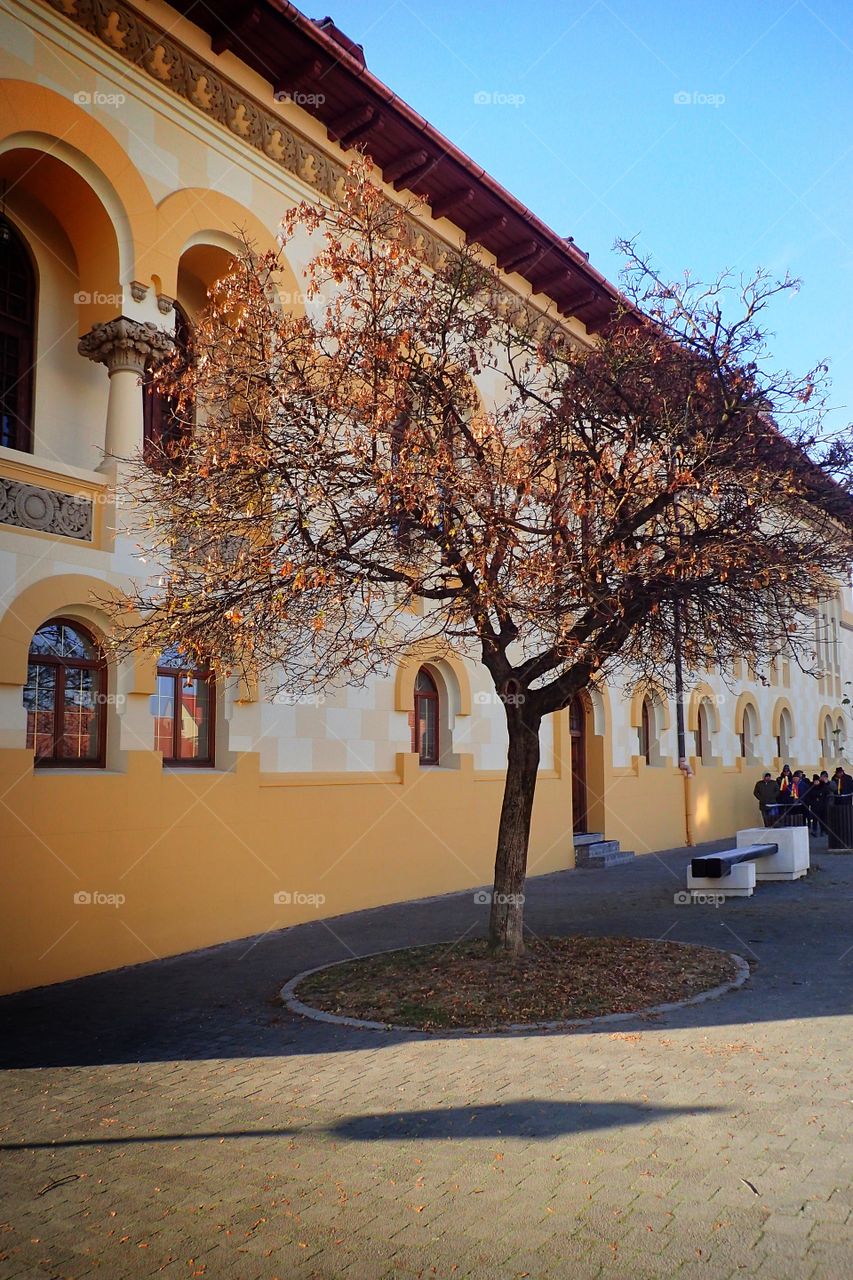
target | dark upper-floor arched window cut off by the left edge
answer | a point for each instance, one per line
(17, 333)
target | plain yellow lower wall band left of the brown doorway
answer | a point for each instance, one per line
(200, 856)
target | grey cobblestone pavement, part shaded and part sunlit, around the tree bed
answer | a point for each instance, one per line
(175, 1119)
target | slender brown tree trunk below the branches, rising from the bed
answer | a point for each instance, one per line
(514, 833)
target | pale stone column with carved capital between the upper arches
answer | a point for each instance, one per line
(129, 349)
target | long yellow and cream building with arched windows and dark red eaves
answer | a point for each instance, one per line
(148, 811)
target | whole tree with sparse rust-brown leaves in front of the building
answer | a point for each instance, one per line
(345, 493)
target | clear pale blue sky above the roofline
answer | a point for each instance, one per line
(754, 171)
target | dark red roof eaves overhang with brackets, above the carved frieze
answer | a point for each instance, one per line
(317, 66)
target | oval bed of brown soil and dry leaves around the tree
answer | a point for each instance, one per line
(556, 980)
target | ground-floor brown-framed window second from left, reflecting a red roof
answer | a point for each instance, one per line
(184, 711)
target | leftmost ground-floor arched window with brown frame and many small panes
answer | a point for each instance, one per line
(66, 697)
